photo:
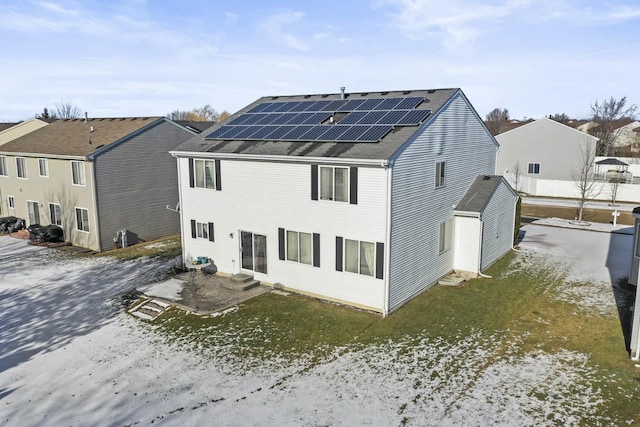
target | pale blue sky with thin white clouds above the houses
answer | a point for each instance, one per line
(147, 58)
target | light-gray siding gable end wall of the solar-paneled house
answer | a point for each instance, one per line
(468, 150)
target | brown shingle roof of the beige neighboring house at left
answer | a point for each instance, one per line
(77, 137)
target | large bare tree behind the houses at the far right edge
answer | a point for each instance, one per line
(605, 115)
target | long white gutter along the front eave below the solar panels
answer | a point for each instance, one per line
(281, 158)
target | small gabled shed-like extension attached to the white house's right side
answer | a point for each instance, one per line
(483, 224)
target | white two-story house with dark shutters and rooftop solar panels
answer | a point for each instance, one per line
(347, 197)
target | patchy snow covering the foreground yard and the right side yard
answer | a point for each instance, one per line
(70, 356)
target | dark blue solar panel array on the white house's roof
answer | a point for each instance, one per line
(360, 120)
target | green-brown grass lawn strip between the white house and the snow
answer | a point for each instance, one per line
(518, 305)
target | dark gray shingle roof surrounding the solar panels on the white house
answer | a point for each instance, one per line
(434, 100)
